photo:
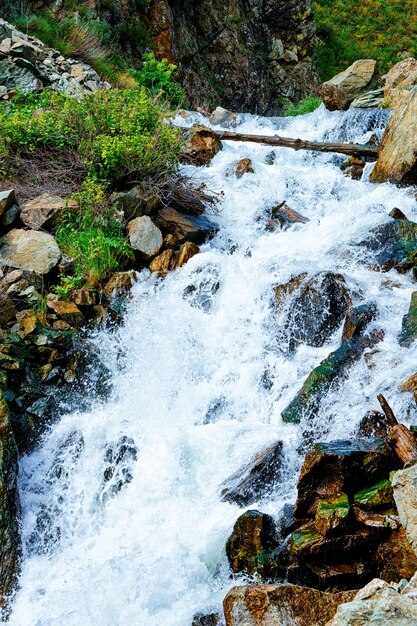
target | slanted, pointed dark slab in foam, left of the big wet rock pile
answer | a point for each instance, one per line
(257, 479)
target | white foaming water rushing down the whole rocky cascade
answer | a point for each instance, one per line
(189, 367)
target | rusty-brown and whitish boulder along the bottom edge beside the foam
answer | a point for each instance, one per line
(280, 605)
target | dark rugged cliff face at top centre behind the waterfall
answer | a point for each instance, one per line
(243, 55)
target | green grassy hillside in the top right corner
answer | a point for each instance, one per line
(377, 29)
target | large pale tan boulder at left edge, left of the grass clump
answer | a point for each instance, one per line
(30, 250)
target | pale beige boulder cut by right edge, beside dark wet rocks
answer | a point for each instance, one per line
(404, 485)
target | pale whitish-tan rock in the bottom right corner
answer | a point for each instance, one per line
(377, 604)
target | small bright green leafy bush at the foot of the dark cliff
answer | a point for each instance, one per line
(158, 77)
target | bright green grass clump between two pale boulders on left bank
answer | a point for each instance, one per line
(94, 236)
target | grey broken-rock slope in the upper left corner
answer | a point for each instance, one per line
(29, 65)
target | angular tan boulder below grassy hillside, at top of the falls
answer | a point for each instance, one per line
(339, 92)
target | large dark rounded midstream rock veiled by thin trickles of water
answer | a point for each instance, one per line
(317, 309)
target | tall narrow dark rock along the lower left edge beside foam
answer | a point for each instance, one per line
(9, 505)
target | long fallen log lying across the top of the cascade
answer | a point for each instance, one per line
(350, 149)
